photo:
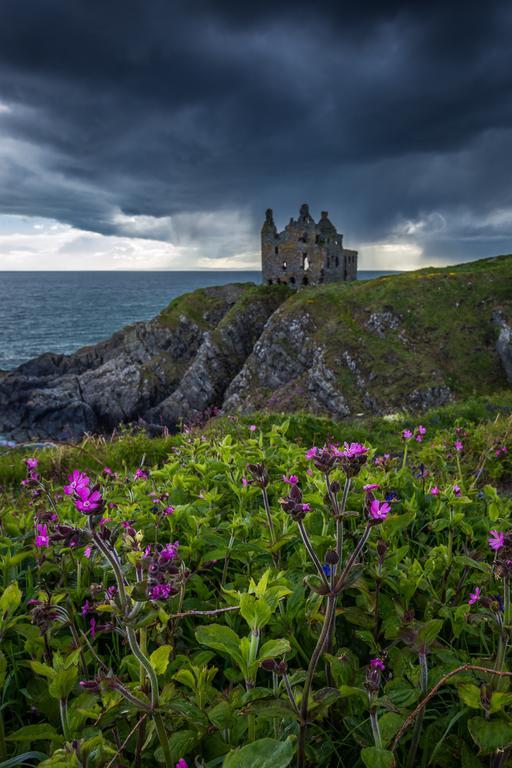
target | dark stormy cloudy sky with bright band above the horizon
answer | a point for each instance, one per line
(153, 134)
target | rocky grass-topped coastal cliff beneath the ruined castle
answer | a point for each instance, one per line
(408, 341)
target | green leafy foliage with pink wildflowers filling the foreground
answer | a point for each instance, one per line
(243, 600)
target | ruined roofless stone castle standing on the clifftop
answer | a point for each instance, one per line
(305, 253)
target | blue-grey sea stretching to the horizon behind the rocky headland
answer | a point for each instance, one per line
(63, 311)
